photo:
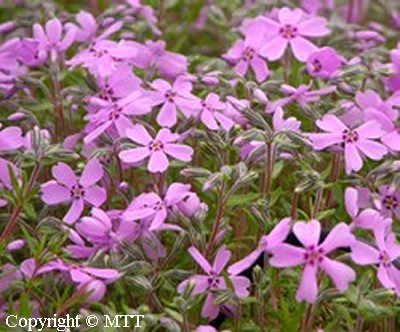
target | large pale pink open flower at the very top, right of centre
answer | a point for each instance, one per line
(290, 30)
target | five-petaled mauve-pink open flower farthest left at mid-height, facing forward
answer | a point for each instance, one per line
(78, 192)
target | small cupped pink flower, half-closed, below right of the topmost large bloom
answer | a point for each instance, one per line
(324, 63)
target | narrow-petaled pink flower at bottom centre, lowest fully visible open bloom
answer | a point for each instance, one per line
(212, 280)
